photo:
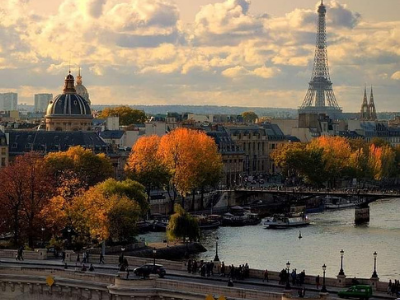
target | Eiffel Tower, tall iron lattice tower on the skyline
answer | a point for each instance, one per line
(320, 98)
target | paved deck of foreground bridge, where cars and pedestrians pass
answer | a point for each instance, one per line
(249, 283)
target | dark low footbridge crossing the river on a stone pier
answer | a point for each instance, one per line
(287, 196)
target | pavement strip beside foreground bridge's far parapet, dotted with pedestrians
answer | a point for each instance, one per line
(113, 269)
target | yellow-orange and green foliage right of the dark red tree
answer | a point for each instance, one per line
(110, 208)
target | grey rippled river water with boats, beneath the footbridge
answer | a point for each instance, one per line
(320, 244)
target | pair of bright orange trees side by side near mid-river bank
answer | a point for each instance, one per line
(183, 160)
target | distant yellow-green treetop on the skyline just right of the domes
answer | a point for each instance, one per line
(127, 116)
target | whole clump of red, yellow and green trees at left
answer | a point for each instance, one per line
(67, 190)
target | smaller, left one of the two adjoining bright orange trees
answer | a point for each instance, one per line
(145, 166)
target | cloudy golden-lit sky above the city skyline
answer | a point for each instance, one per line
(201, 52)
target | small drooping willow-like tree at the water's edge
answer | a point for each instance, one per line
(182, 225)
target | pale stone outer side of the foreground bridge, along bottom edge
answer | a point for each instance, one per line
(30, 284)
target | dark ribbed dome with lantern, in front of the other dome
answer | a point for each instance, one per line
(68, 111)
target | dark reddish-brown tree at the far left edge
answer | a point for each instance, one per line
(26, 188)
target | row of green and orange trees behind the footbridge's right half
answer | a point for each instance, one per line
(327, 159)
